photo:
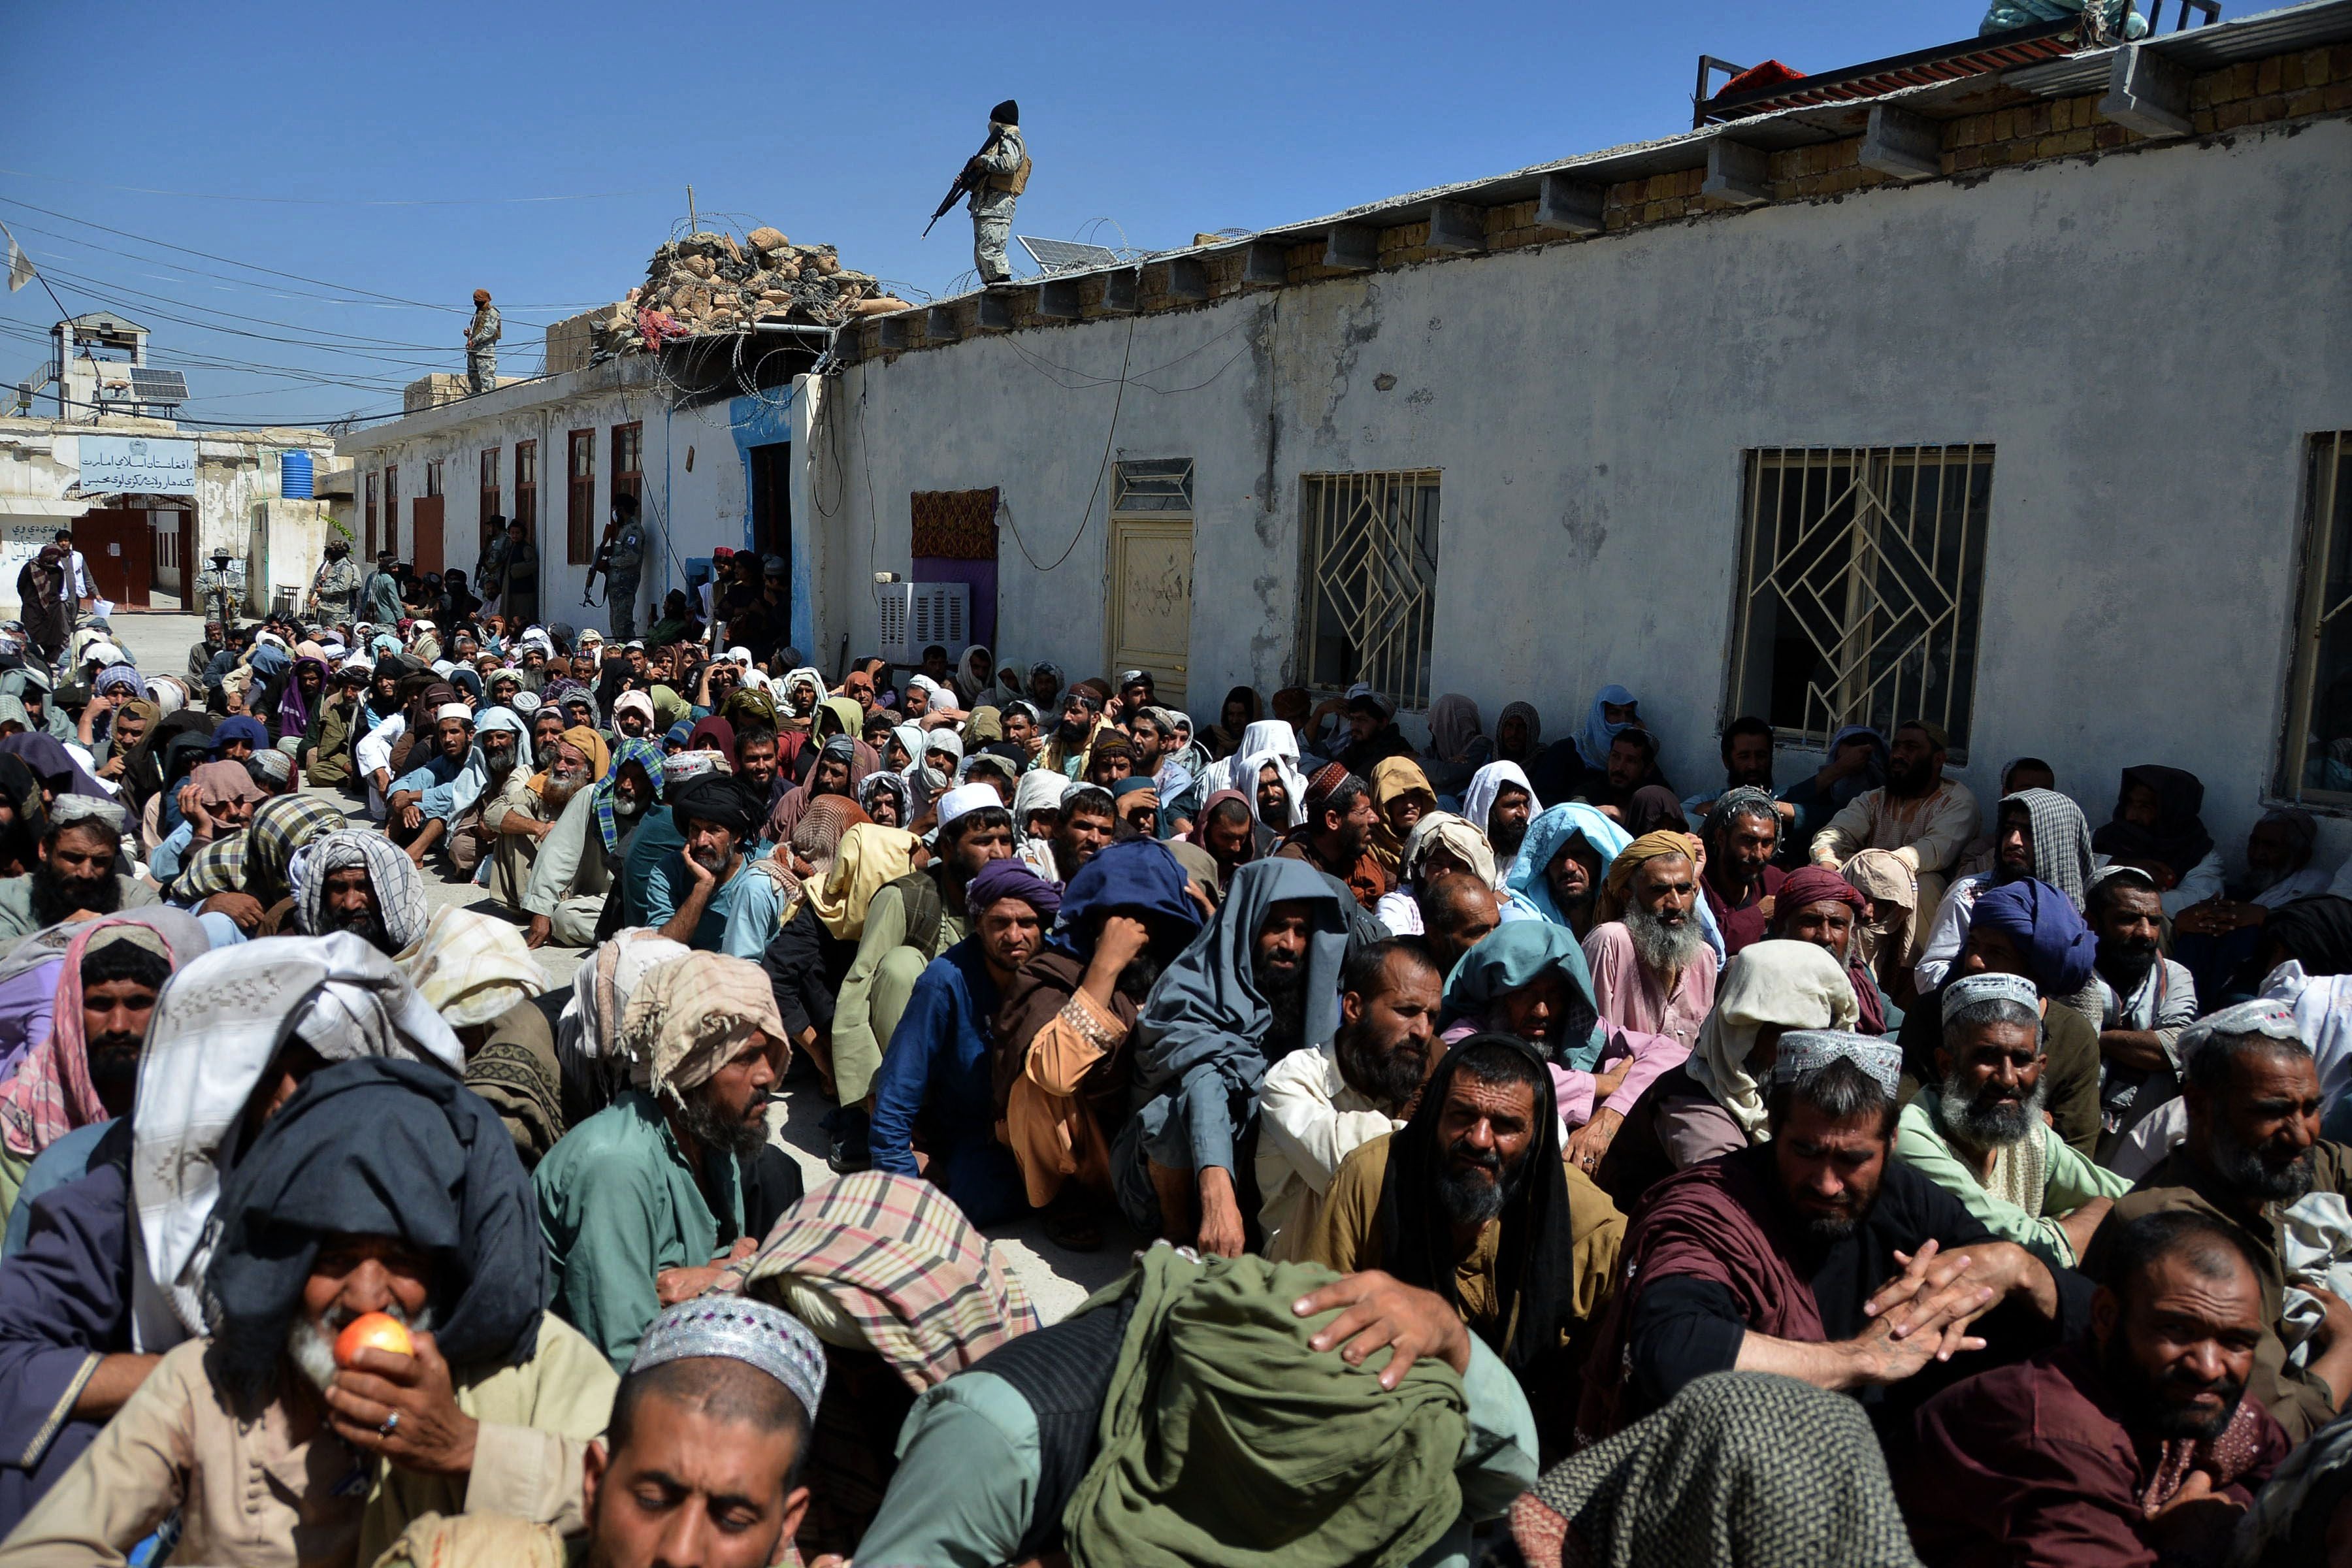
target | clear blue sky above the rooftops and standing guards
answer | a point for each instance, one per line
(831, 123)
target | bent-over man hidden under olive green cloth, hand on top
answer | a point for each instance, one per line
(1198, 1414)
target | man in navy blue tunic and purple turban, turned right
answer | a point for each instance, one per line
(940, 1066)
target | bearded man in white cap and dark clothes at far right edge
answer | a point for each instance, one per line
(2252, 1151)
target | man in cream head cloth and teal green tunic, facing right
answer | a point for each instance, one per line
(653, 1184)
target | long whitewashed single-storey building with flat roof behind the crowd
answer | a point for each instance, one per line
(2007, 384)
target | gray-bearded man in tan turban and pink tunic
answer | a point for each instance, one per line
(1652, 967)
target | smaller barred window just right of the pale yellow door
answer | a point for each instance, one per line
(1372, 582)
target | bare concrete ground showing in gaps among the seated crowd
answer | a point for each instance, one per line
(1055, 1278)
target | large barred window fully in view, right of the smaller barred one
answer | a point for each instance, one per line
(1862, 589)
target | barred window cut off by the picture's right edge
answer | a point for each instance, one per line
(2316, 756)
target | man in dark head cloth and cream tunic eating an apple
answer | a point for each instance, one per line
(380, 1188)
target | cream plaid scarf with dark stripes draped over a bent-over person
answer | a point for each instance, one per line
(890, 1261)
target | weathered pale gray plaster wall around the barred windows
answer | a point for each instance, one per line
(2144, 340)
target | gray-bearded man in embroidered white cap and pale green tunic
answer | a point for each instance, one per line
(1982, 1134)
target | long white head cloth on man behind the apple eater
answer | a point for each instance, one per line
(218, 1028)
